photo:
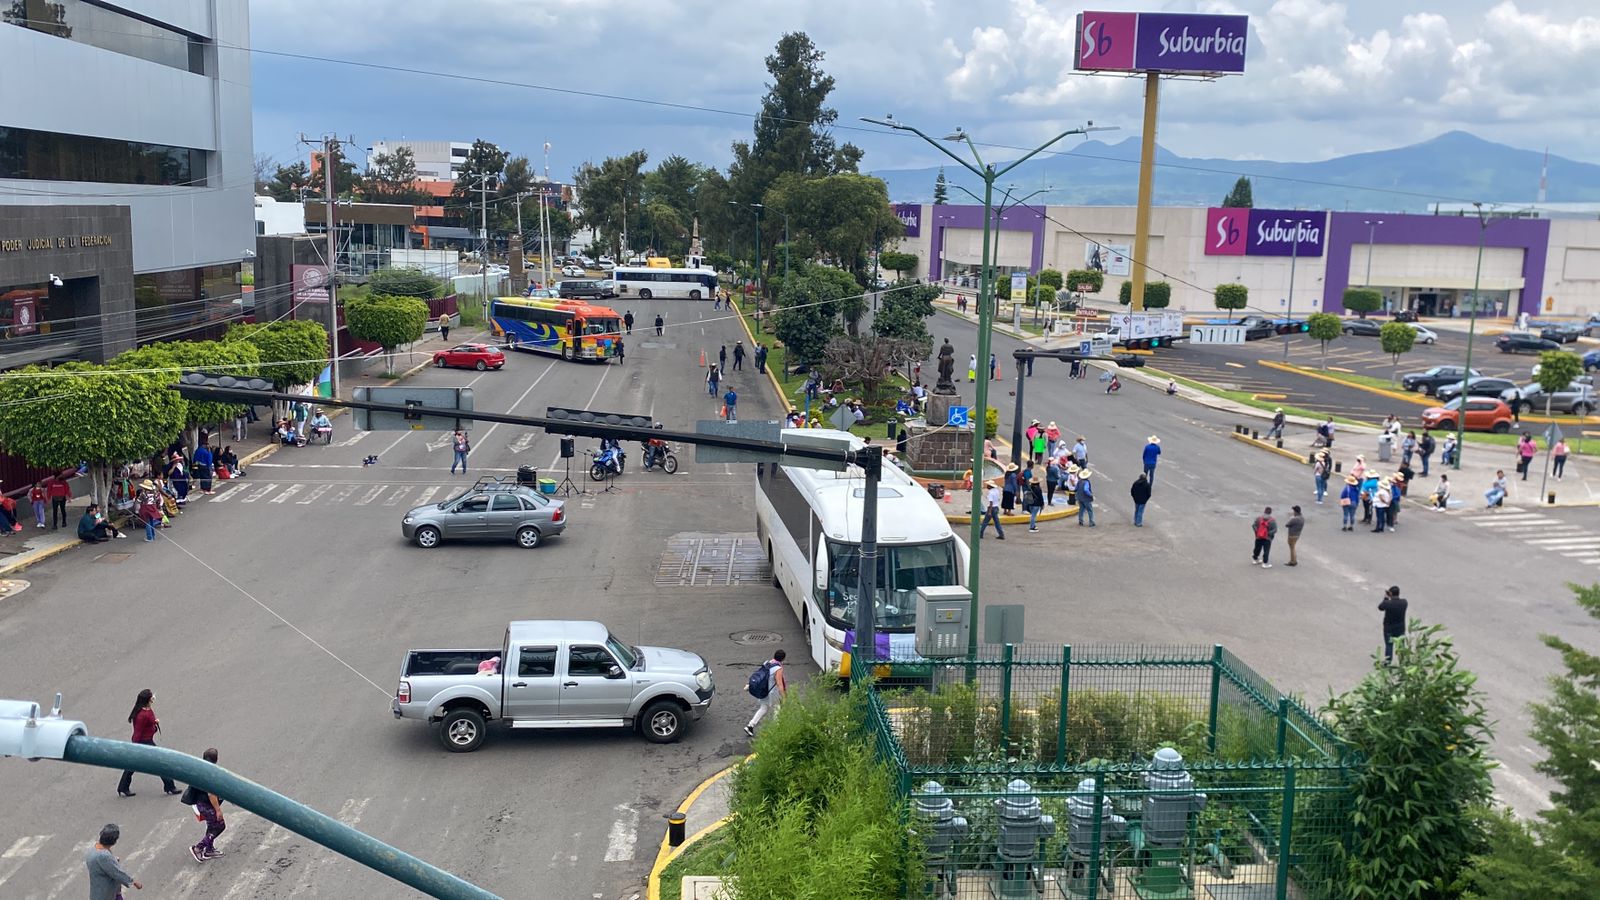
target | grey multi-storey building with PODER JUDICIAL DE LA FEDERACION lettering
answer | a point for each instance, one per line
(126, 175)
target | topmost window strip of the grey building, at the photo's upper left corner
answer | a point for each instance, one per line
(111, 30)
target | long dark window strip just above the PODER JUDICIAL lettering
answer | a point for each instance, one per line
(49, 156)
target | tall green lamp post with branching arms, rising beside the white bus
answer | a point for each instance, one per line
(990, 175)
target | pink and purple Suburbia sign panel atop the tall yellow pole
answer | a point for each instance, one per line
(1175, 44)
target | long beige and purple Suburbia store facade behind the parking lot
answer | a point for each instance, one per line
(1292, 260)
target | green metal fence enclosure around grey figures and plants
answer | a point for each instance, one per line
(1030, 731)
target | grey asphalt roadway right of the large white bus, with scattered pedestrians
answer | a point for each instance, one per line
(1186, 577)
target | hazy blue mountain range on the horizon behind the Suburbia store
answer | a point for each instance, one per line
(1454, 167)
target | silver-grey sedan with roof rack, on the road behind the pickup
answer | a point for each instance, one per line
(492, 510)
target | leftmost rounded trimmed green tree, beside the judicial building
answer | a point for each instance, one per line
(81, 412)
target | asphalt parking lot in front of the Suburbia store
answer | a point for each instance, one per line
(1238, 368)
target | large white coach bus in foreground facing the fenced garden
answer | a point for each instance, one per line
(810, 524)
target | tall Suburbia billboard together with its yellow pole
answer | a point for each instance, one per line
(1154, 46)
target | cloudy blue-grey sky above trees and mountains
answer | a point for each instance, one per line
(1322, 79)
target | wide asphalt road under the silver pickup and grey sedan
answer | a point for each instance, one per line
(273, 619)
